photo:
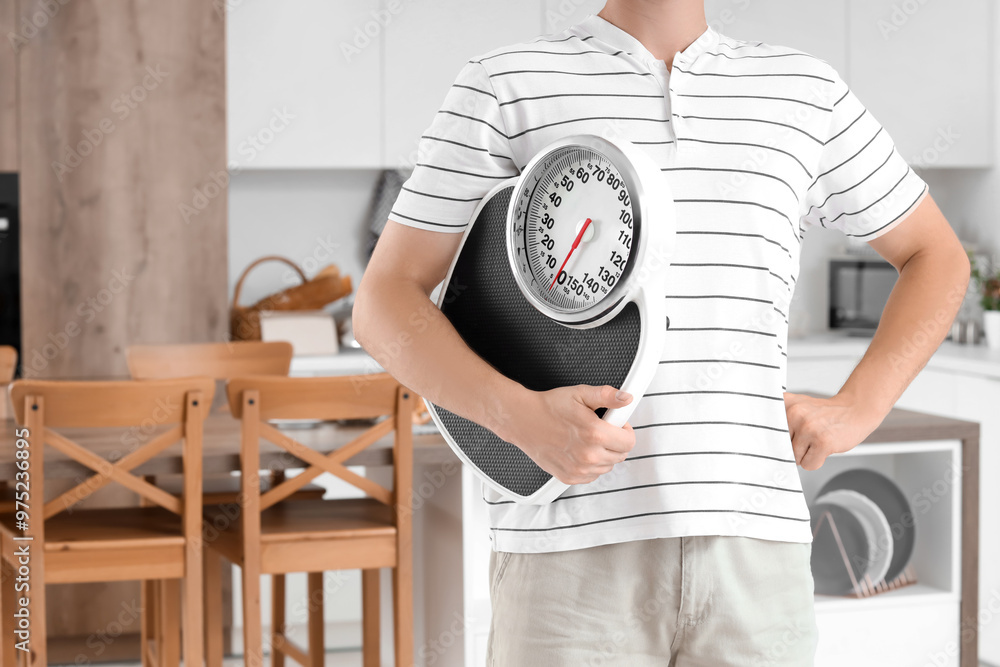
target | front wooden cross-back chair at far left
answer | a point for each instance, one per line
(159, 542)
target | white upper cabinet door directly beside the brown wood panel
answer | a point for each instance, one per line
(303, 87)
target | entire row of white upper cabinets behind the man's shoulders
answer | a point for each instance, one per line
(319, 84)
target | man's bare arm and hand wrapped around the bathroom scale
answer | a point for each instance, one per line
(396, 322)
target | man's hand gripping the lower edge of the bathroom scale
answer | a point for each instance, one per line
(560, 432)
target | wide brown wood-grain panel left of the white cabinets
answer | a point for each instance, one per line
(122, 112)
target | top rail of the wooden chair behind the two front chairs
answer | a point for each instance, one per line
(216, 360)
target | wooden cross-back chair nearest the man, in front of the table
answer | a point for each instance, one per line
(314, 536)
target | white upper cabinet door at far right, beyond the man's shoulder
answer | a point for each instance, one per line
(924, 70)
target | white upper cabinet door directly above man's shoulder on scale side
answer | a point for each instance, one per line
(426, 45)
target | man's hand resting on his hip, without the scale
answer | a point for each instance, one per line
(823, 426)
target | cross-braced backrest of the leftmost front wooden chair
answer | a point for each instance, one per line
(176, 408)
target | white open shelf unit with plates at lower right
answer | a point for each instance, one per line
(909, 625)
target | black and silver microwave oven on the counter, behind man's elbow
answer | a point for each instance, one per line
(859, 290)
